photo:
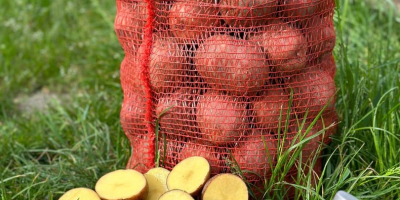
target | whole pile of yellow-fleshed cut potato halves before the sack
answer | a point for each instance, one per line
(188, 180)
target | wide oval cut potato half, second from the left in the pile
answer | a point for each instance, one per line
(122, 184)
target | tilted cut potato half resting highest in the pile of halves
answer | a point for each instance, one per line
(189, 175)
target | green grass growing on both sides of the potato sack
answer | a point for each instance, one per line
(70, 49)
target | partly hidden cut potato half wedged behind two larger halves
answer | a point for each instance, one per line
(157, 181)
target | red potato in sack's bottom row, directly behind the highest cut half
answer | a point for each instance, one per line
(208, 152)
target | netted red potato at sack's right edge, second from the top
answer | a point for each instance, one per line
(321, 35)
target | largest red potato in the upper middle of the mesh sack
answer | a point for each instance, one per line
(233, 65)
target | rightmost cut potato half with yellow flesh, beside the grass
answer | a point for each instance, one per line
(225, 186)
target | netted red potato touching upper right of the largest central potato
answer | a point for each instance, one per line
(285, 46)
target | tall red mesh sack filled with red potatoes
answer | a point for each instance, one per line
(224, 73)
